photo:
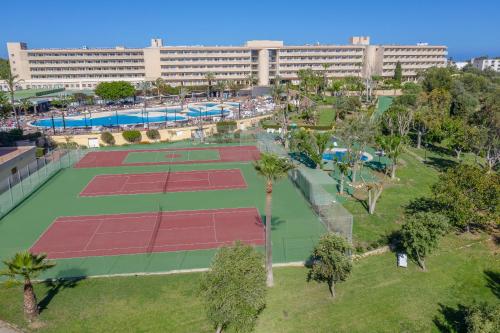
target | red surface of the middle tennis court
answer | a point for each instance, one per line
(182, 181)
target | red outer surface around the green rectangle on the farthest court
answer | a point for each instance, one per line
(117, 157)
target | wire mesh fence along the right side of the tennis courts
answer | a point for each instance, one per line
(310, 182)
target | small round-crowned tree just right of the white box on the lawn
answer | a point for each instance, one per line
(420, 234)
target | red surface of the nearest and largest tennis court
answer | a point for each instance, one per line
(104, 235)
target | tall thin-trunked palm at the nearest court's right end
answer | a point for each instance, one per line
(272, 168)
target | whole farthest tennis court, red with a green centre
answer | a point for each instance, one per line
(169, 156)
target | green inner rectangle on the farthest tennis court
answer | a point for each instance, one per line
(172, 156)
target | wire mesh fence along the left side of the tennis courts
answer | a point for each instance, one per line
(26, 180)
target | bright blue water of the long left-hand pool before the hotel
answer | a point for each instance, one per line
(122, 119)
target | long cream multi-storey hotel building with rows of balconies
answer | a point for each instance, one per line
(188, 65)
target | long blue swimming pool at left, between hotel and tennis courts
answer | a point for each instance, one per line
(112, 119)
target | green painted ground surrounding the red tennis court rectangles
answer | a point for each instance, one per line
(295, 228)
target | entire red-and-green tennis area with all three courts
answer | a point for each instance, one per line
(165, 208)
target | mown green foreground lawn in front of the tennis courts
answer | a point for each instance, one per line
(378, 297)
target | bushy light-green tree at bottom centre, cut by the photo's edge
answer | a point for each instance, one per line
(234, 288)
